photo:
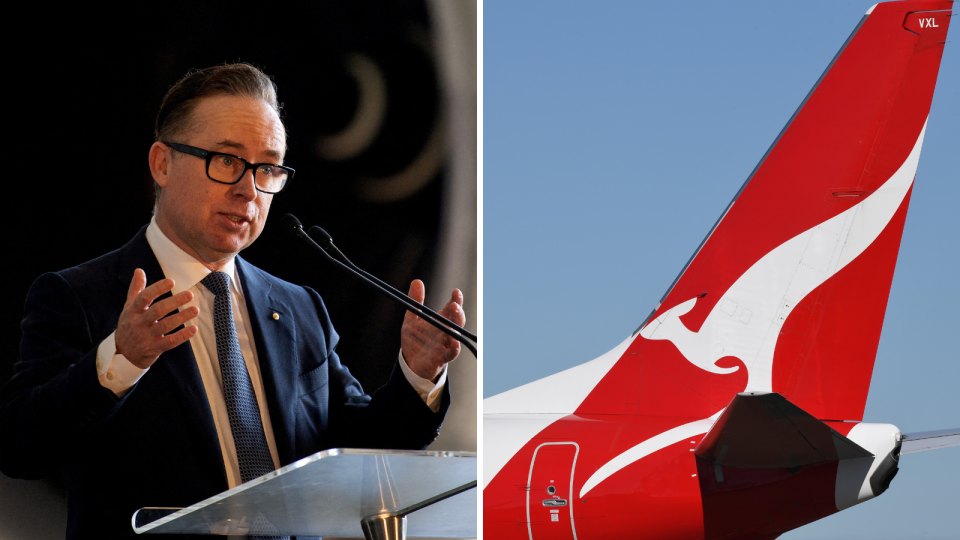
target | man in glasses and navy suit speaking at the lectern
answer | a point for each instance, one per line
(171, 370)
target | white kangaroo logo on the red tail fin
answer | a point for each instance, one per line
(746, 321)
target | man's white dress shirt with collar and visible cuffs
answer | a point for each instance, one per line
(117, 374)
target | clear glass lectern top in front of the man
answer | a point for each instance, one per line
(340, 493)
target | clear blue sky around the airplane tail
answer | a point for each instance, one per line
(615, 134)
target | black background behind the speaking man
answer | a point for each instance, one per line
(83, 88)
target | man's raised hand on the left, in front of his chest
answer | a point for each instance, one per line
(141, 336)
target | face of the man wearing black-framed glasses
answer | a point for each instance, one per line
(208, 220)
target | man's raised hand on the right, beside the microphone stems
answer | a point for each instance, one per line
(425, 348)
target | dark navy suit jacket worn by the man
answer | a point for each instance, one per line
(158, 445)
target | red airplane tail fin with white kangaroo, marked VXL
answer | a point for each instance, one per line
(788, 291)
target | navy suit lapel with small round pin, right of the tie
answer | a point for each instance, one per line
(275, 339)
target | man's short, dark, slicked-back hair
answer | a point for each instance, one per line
(176, 109)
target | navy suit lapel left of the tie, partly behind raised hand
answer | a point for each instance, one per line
(178, 366)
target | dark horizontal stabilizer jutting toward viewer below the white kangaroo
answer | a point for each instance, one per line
(762, 430)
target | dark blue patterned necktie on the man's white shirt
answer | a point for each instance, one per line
(253, 454)
